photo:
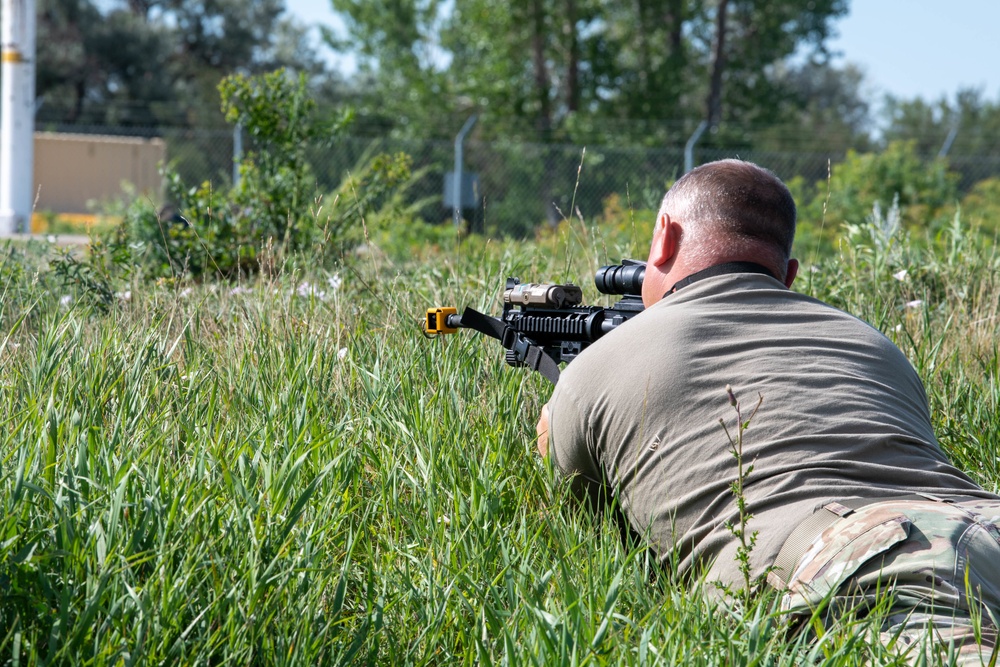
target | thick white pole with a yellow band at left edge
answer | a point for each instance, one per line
(17, 116)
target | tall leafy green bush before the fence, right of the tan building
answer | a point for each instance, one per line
(273, 207)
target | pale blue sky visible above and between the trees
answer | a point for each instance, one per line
(908, 48)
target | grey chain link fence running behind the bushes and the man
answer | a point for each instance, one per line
(517, 186)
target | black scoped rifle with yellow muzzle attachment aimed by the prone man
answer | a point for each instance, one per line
(543, 325)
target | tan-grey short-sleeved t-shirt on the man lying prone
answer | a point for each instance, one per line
(844, 415)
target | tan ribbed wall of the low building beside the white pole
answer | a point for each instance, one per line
(73, 169)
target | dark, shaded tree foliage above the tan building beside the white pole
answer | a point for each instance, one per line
(145, 63)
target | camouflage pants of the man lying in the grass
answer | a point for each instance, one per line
(934, 568)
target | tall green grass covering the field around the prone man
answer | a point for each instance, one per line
(275, 473)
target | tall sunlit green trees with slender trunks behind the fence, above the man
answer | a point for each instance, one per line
(555, 70)
